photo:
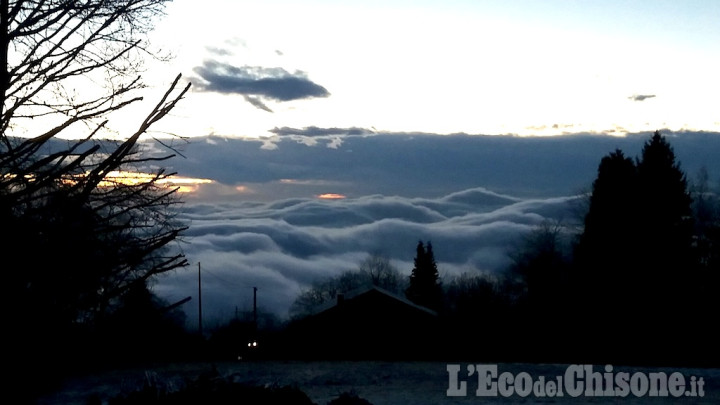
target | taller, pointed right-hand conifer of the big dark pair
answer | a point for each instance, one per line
(665, 244)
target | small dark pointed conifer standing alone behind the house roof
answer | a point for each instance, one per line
(425, 288)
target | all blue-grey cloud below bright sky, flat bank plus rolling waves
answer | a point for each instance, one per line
(261, 223)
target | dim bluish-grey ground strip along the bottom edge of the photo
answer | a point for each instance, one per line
(378, 382)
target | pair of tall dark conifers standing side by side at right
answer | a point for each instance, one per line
(635, 257)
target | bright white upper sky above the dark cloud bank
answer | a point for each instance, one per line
(478, 67)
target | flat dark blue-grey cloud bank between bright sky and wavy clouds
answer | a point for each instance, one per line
(355, 162)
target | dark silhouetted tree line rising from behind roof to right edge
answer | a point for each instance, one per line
(641, 273)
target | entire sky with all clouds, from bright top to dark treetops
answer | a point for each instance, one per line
(325, 131)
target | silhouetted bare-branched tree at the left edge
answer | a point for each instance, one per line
(85, 220)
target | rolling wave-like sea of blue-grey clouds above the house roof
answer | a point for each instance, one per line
(283, 246)
